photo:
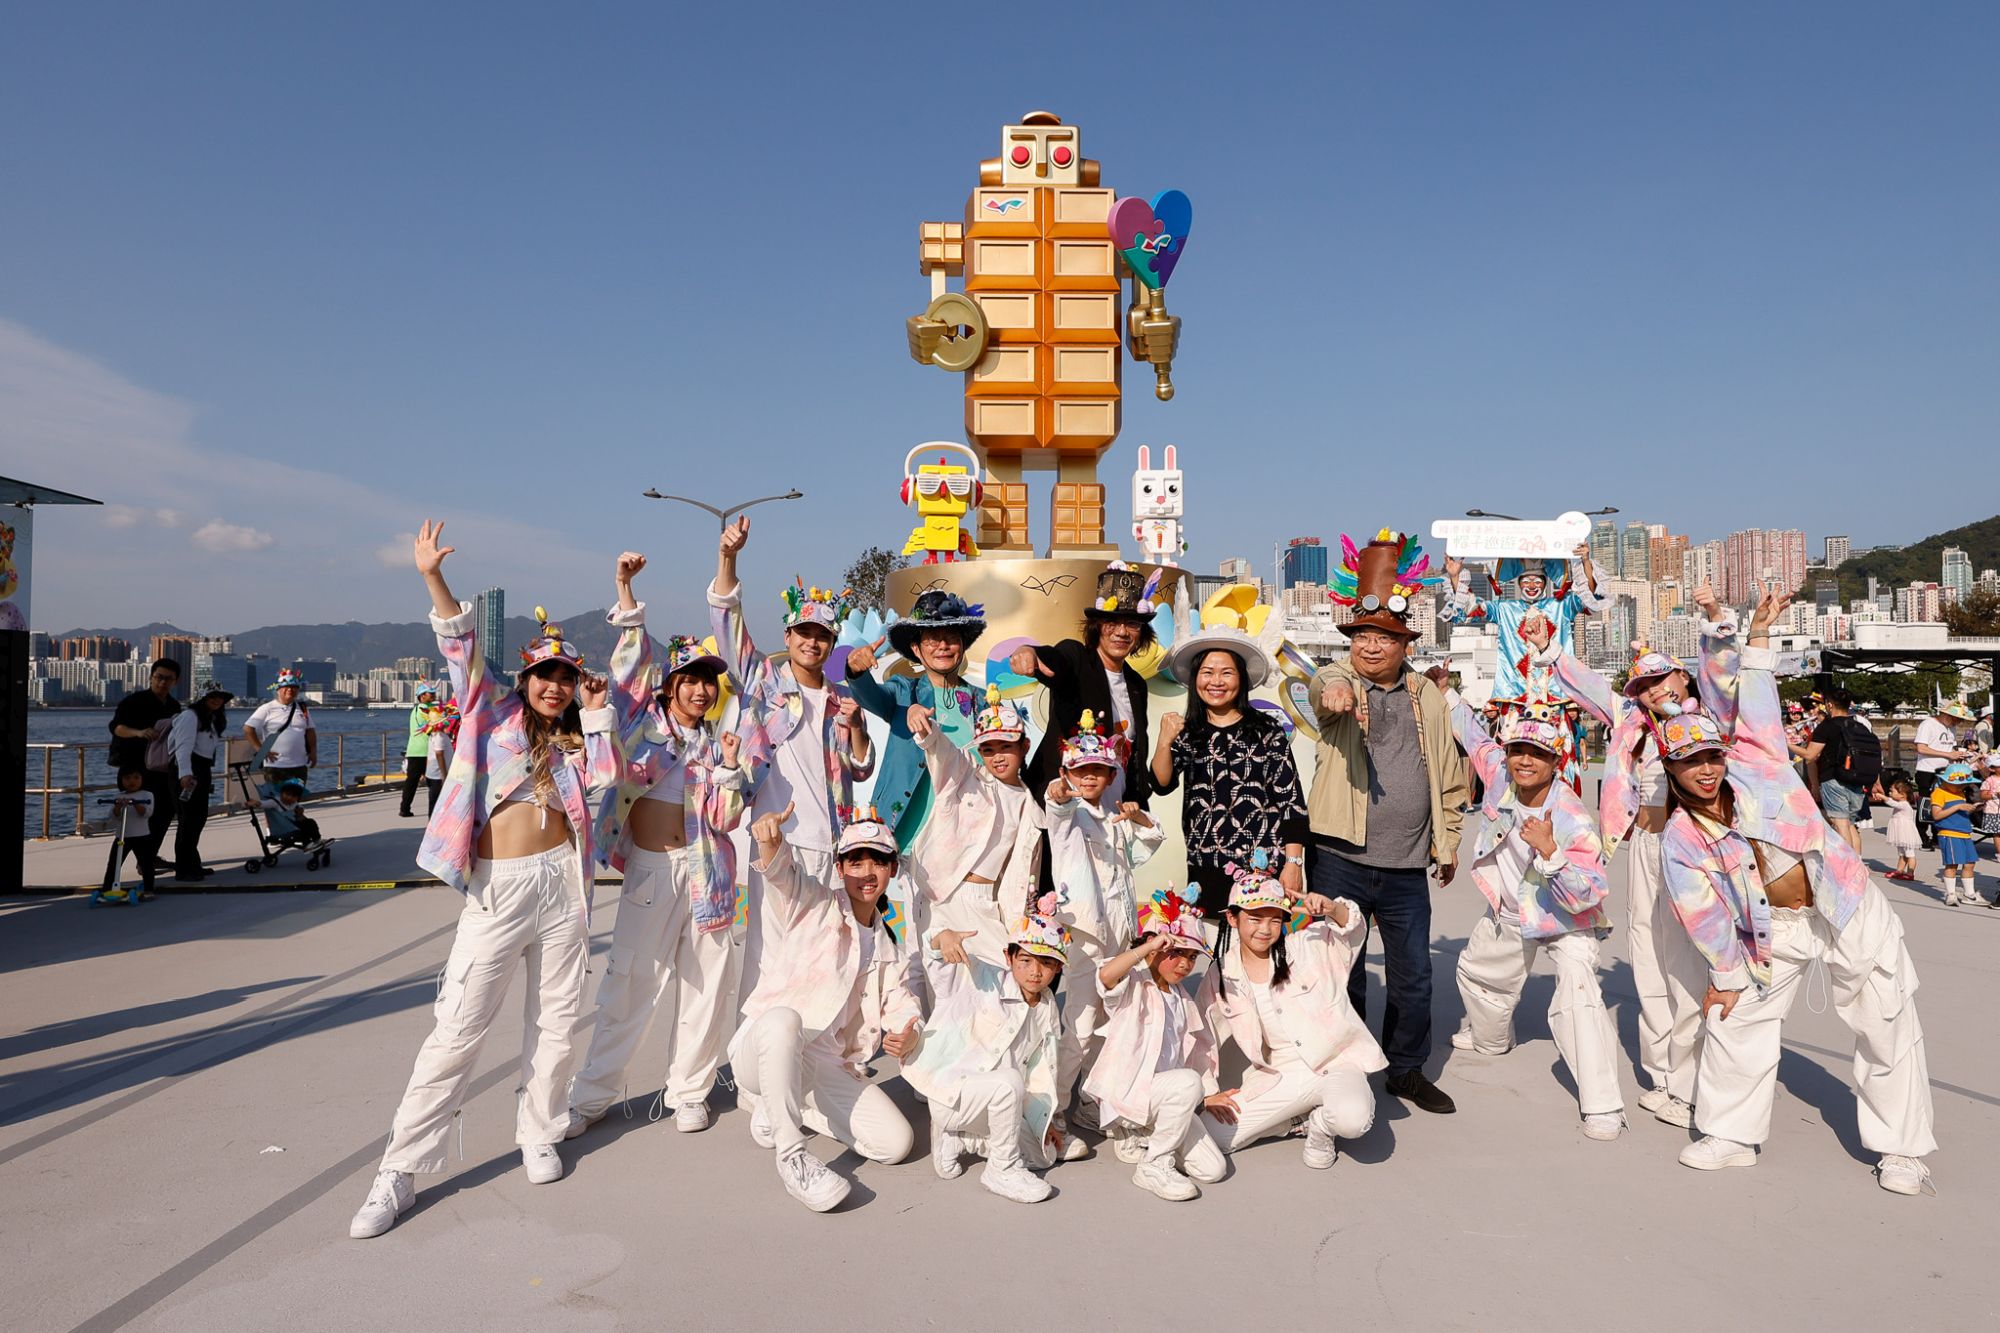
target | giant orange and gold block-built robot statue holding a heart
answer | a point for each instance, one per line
(1037, 331)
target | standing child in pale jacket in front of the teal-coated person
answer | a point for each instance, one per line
(969, 844)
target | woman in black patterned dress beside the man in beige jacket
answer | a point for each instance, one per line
(1243, 788)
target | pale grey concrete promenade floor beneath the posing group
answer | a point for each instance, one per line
(195, 1094)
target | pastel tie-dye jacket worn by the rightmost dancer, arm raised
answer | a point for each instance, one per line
(1715, 884)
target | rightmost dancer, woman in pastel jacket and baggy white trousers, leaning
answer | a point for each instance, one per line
(1767, 890)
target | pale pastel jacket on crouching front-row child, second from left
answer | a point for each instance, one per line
(973, 1028)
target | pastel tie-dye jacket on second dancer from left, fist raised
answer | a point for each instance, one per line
(647, 746)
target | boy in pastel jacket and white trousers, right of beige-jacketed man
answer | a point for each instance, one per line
(1541, 868)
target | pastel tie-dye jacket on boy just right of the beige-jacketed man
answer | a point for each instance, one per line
(1563, 894)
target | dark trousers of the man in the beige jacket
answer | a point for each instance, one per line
(1397, 904)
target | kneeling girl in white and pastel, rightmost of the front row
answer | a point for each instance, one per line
(1285, 1002)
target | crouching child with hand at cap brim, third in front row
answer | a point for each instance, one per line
(1147, 1080)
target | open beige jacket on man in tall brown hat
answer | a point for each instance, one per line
(1339, 802)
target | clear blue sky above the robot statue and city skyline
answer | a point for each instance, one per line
(279, 281)
